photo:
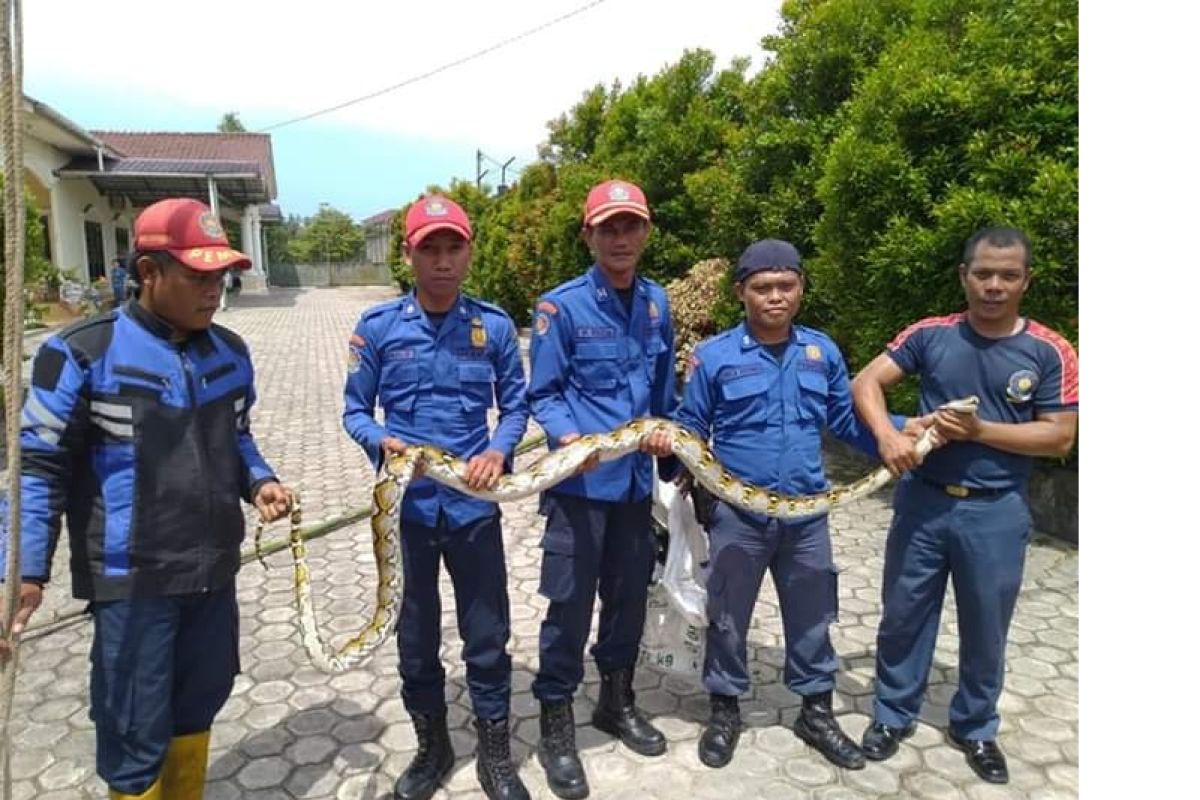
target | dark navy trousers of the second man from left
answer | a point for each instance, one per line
(475, 557)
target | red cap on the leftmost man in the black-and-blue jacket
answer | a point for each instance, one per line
(190, 232)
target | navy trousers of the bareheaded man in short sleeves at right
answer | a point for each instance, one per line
(977, 543)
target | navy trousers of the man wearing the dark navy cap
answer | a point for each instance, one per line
(800, 556)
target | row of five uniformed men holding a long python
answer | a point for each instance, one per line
(603, 353)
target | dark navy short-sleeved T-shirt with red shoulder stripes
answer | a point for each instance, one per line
(1016, 378)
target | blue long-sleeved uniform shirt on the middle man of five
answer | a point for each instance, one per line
(595, 368)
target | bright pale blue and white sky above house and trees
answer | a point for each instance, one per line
(273, 61)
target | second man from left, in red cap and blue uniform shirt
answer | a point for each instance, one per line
(435, 360)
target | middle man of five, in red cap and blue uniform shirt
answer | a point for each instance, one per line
(603, 354)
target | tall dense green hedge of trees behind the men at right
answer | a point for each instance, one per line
(878, 137)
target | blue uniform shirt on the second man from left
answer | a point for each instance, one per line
(436, 387)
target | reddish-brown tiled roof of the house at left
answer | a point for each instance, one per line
(183, 148)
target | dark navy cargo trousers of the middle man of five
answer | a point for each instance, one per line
(590, 545)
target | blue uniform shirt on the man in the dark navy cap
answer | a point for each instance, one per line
(765, 418)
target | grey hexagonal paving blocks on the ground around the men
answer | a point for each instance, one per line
(292, 732)
